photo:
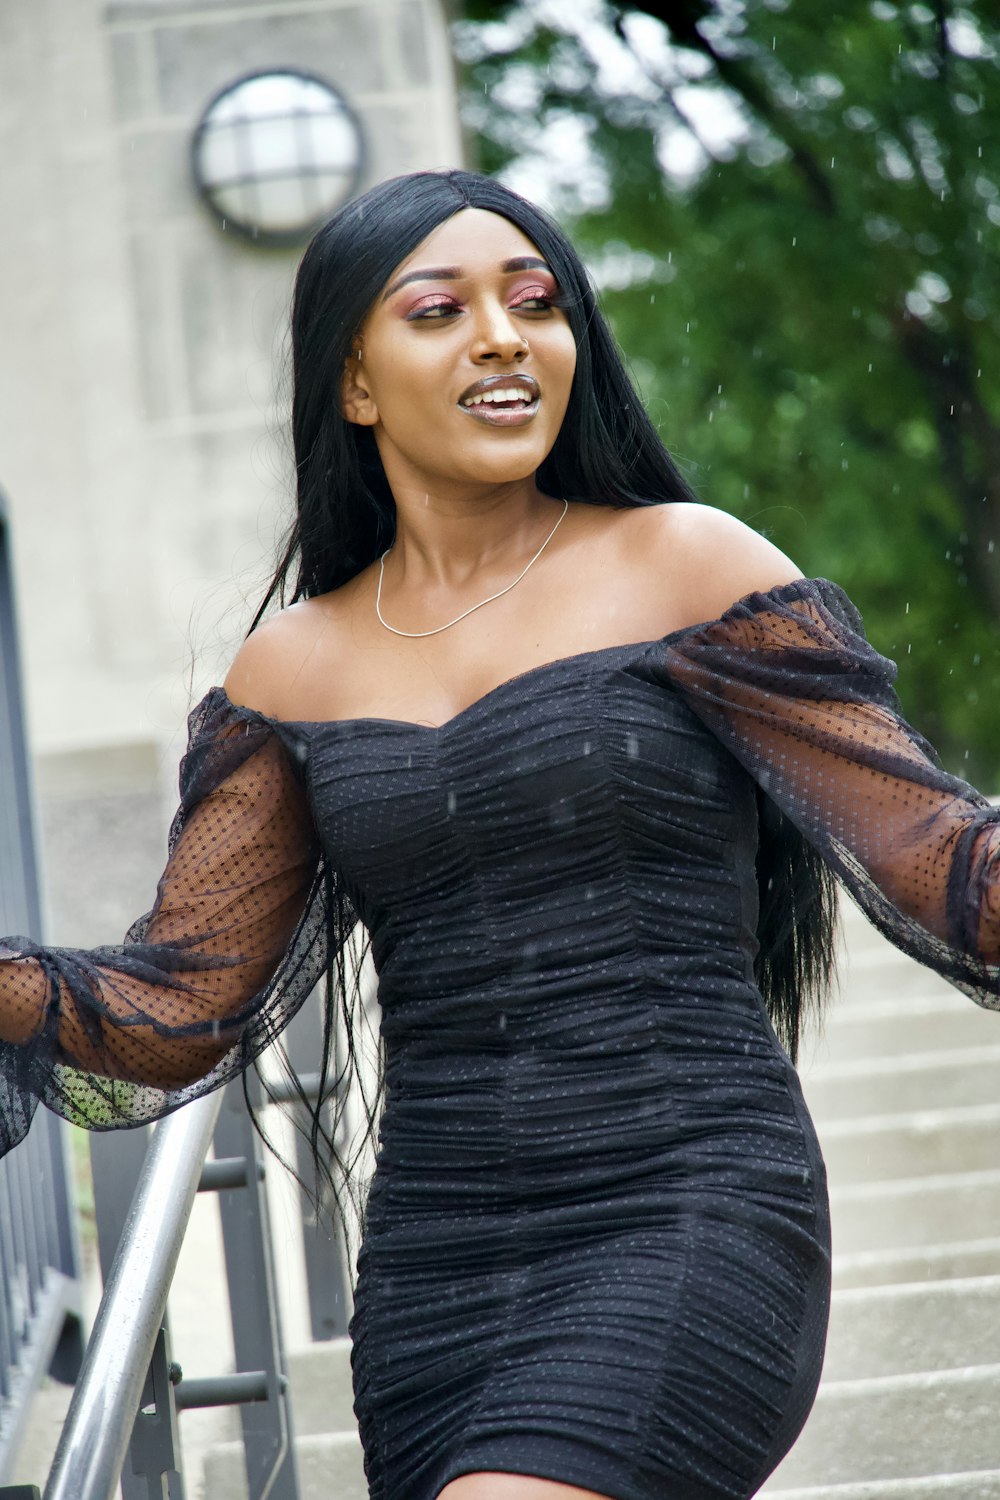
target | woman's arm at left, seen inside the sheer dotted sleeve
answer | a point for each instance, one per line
(167, 1009)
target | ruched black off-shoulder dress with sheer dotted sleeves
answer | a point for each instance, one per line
(597, 1241)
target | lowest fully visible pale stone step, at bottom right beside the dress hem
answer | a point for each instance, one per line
(897, 1427)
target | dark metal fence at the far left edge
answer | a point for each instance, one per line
(40, 1264)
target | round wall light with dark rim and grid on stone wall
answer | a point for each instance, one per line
(277, 154)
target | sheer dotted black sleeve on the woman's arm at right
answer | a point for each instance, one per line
(789, 683)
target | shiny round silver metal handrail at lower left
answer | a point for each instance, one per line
(98, 1427)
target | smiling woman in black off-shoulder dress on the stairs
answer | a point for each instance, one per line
(549, 728)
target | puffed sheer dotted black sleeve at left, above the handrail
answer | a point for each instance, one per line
(238, 938)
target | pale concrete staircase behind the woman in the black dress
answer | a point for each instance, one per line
(905, 1088)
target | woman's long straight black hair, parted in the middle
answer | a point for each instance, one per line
(608, 454)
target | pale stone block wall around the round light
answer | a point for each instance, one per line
(142, 412)
